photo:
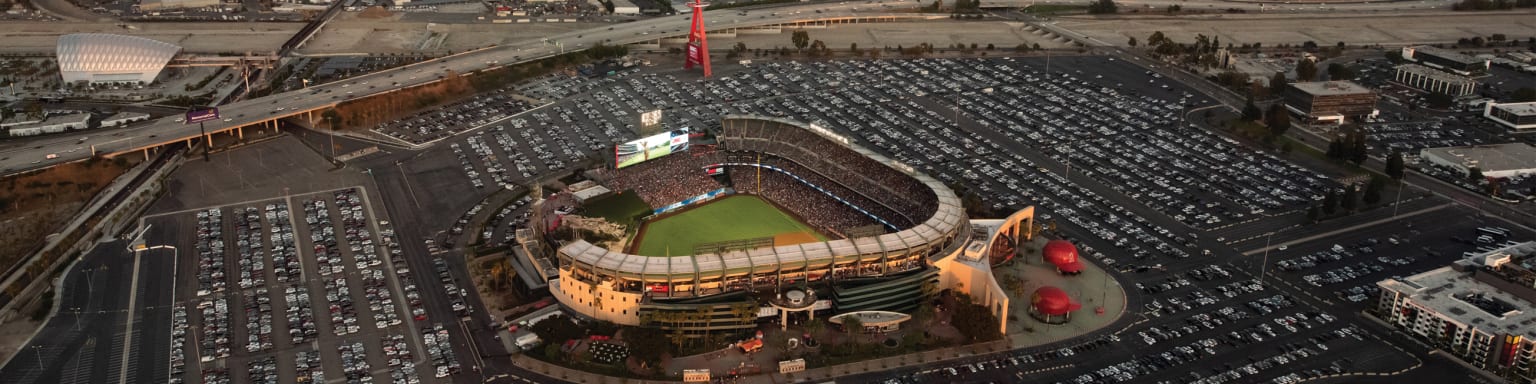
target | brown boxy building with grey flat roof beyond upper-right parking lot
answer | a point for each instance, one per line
(1331, 101)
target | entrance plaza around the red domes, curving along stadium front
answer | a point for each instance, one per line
(1093, 288)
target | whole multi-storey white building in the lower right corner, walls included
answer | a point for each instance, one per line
(1478, 310)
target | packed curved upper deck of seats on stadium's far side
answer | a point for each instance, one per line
(910, 199)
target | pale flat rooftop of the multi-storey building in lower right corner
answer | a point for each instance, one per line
(1463, 299)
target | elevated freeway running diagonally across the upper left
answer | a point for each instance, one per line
(305, 104)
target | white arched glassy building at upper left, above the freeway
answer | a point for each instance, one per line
(108, 58)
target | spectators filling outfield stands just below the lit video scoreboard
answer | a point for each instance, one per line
(666, 180)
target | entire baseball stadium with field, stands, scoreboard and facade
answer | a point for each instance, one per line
(772, 220)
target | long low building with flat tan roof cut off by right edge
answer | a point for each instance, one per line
(1494, 161)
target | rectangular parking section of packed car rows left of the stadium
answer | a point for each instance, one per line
(276, 279)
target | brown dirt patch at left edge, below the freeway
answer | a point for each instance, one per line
(38, 205)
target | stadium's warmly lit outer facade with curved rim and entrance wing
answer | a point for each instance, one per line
(733, 290)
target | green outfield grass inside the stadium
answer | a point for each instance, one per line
(738, 217)
